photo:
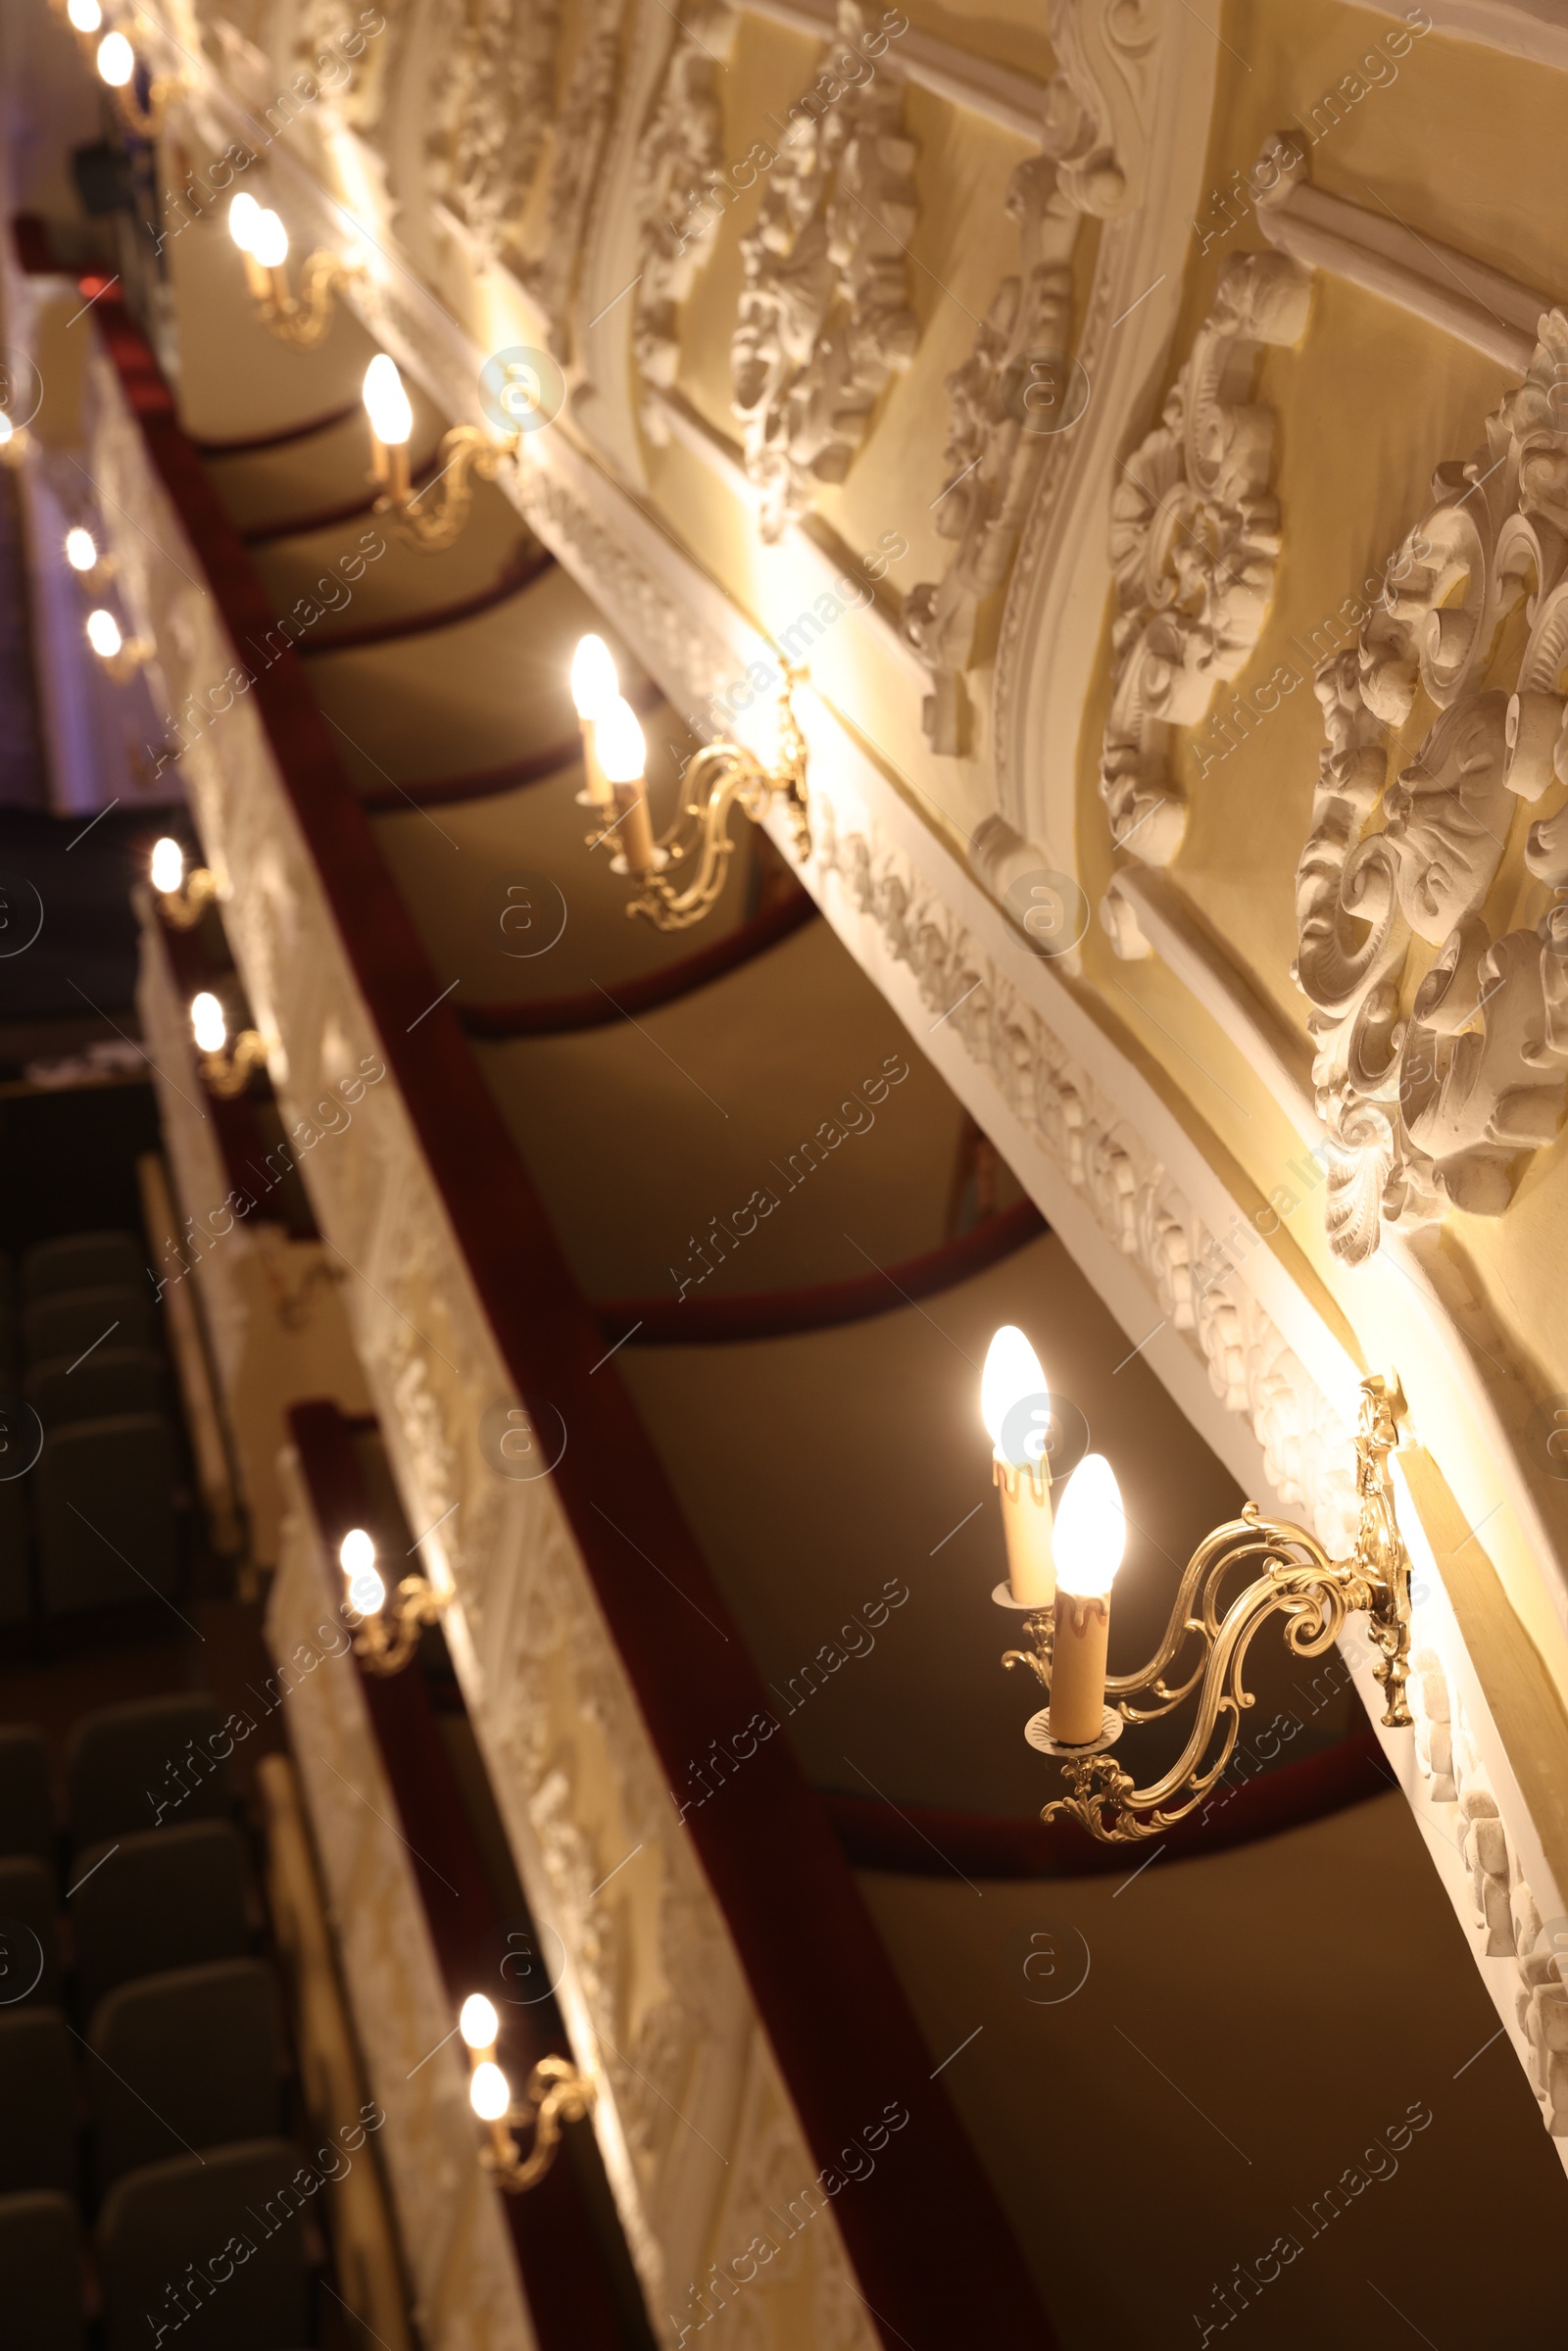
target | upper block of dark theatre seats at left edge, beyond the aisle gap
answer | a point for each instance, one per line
(95, 1520)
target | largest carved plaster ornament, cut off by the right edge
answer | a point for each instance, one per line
(1440, 1106)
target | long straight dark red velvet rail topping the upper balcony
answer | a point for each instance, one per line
(927, 2239)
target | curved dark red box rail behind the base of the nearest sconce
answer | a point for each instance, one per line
(984, 1847)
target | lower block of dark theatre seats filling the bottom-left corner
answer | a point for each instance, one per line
(163, 2103)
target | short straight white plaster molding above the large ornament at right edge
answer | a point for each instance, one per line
(1383, 255)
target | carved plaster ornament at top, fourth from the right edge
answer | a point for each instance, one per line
(824, 307)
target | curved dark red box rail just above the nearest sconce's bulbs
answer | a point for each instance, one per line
(713, 1322)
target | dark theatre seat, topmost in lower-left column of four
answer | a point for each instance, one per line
(130, 1760)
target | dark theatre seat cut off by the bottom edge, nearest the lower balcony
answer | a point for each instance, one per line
(170, 2246)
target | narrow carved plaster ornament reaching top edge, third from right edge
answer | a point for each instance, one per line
(1094, 156)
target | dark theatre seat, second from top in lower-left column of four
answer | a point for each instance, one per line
(166, 1898)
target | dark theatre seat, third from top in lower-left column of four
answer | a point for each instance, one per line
(185, 2061)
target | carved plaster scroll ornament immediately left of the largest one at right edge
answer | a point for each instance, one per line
(1195, 537)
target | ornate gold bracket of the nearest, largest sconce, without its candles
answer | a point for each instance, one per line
(1296, 1579)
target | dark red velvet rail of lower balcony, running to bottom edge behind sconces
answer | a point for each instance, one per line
(556, 2249)
